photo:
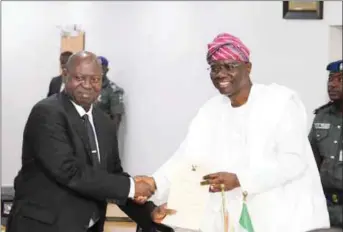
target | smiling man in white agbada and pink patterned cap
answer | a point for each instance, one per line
(255, 138)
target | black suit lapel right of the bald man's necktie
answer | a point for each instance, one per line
(100, 129)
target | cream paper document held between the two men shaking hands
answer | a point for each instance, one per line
(187, 197)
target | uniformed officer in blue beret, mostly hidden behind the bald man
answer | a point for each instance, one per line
(111, 97)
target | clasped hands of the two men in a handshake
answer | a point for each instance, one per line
(145, 187)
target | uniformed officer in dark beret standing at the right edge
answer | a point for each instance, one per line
(326, 141)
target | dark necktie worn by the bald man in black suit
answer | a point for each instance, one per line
(94, 155)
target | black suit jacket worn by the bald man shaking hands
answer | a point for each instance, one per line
(57, 188)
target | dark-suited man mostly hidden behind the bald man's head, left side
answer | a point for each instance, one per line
(57, 84)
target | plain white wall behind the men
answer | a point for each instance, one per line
(157, 54)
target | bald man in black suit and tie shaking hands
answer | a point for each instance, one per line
(70, 162)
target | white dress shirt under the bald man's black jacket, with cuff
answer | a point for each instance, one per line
(82, 112)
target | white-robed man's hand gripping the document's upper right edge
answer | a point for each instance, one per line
(215, 180)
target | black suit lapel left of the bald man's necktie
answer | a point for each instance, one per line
(76, 122)
